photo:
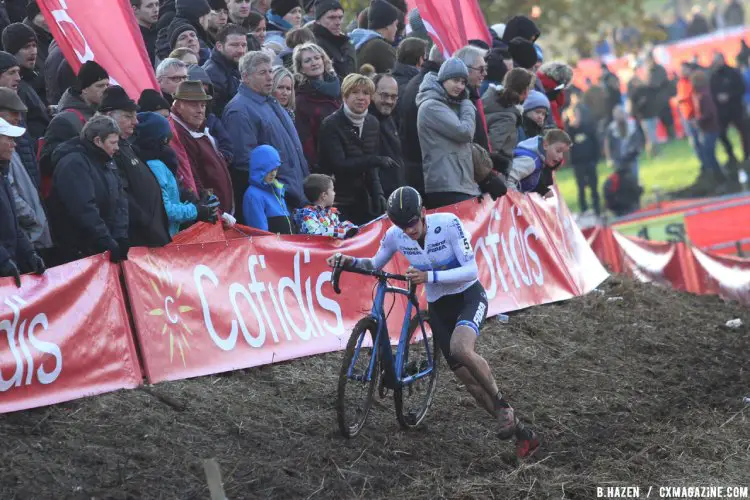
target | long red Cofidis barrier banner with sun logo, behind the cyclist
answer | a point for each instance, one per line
(225, 305)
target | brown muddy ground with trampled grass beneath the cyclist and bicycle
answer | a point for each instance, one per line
(641, 391)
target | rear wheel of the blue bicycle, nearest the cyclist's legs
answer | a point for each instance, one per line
(413, 400)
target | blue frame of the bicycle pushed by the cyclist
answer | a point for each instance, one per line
(382, 343)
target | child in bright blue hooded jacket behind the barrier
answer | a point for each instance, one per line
(263, 205)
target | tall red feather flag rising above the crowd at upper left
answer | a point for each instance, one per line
(104, 31)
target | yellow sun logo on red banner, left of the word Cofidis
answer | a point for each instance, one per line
(171, 310)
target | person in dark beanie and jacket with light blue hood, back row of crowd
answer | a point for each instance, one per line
(374, 45)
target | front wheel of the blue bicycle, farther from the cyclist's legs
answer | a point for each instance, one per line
(356, 386)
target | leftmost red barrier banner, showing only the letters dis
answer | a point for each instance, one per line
(65, 335)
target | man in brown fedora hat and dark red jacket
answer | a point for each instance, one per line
(208, 165)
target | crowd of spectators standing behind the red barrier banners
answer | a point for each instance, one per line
(274, 114)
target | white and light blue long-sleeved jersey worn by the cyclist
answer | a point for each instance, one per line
(447, 255)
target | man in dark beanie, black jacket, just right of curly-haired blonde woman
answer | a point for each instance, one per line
(329, 17)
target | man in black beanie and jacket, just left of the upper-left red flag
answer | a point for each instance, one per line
(20, 40)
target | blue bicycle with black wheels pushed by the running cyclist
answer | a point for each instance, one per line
(411, 374)
